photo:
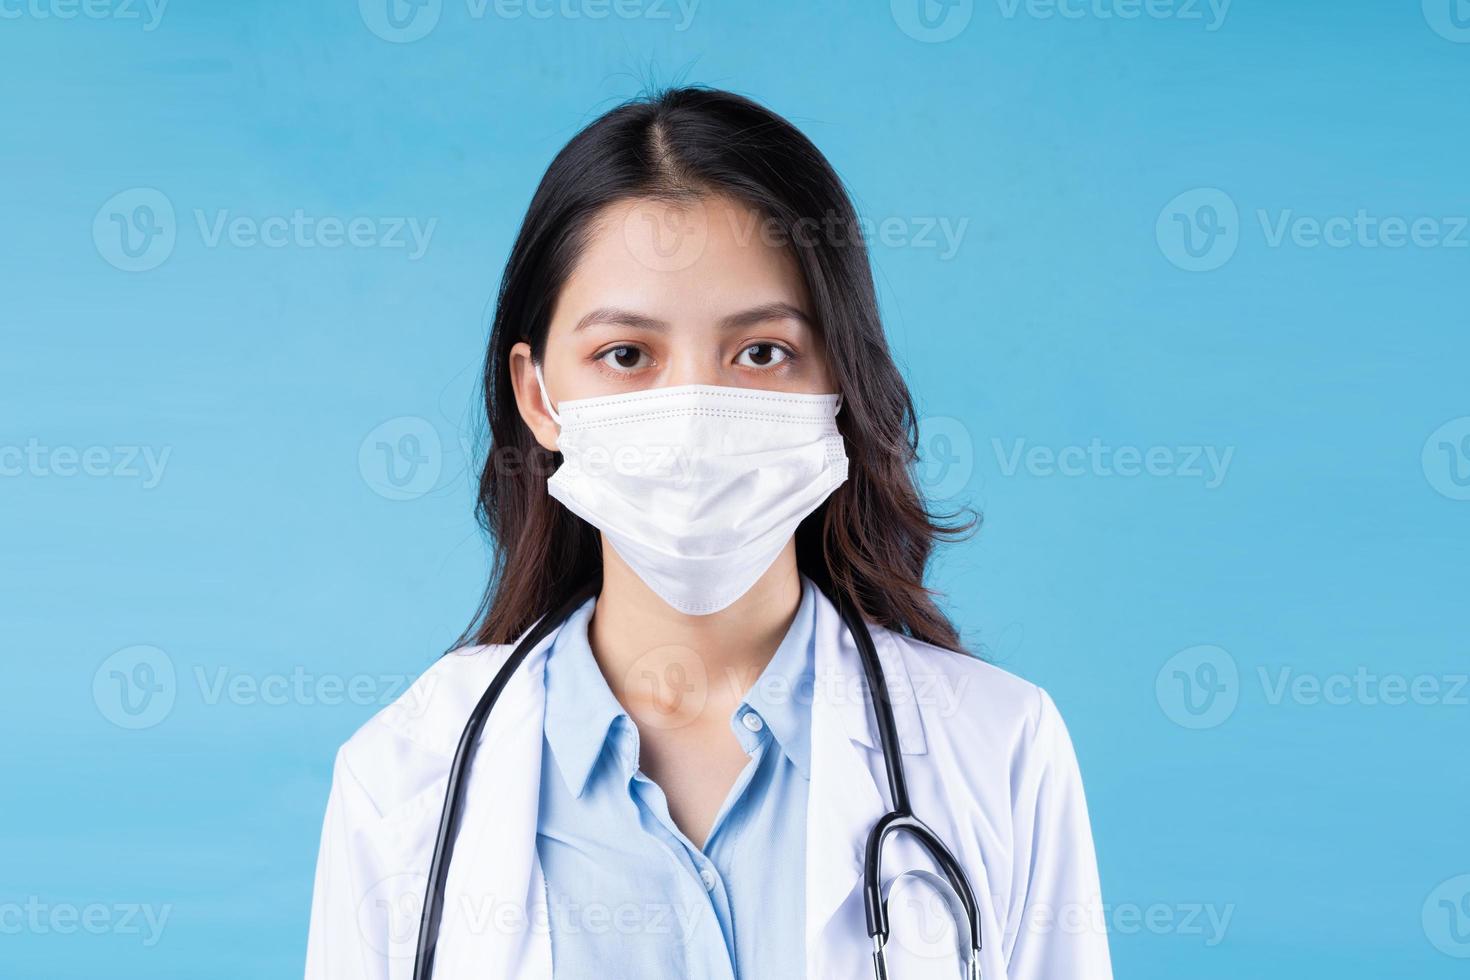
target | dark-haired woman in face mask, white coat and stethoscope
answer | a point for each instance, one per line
(681, 777)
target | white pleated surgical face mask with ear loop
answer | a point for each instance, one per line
(698, 489)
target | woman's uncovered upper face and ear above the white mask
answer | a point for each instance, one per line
(689, 293)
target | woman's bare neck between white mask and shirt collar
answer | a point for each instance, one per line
(655, 656)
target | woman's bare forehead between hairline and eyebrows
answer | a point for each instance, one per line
(677, 258)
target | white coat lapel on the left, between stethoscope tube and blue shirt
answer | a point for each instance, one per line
(495, 900)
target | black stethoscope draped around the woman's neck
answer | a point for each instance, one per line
(896, 822)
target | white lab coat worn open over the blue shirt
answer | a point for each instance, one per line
(990, 769)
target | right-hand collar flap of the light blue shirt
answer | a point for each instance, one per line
(783, 694)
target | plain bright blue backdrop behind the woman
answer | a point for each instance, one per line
(271, 546)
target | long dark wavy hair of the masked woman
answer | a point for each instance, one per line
(874, 537)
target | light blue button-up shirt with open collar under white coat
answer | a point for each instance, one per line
(628, 896)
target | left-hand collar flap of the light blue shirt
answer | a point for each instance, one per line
(581, 709)
